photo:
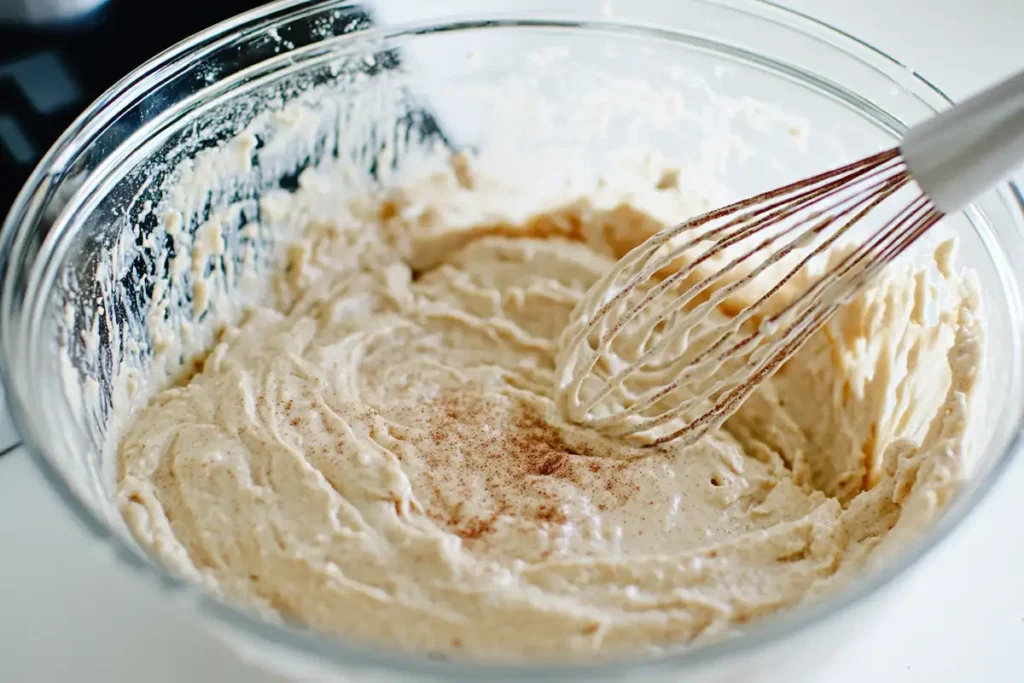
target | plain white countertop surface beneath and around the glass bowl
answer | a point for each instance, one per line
(68, 614)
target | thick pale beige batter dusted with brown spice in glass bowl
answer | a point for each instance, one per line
(379, 456)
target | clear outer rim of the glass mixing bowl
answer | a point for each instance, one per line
(347, 656)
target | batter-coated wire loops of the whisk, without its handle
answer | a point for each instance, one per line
(649, 334)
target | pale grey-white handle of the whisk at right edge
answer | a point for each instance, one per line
(961, 153)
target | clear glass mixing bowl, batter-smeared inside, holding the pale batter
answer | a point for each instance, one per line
(757, 94)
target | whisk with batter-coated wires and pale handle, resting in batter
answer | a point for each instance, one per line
(680, 333)
